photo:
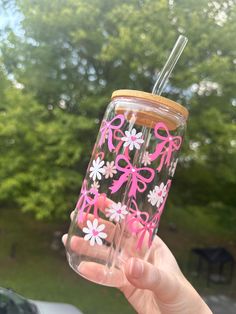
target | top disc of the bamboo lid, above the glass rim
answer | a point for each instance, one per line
(155, 99)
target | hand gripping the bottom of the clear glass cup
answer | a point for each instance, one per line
(156, 285)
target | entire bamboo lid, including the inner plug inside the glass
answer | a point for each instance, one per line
(150, 118)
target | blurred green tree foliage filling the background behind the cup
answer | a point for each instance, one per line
(71, 55)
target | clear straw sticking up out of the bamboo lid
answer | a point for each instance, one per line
(170, 64)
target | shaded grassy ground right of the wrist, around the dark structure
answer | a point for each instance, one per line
(185, 228)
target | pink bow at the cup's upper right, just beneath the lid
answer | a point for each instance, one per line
(166, 147)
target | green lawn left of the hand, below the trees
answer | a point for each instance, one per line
(39, 273)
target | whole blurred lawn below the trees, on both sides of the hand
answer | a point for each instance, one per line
(38, 272)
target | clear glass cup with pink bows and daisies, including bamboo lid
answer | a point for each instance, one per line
(126, 185)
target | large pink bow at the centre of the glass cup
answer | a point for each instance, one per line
(138, 182)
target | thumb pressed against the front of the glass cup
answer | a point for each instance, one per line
(144, 275)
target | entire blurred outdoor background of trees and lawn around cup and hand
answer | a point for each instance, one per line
(59, 63)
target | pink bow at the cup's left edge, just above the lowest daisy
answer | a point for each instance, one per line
(86, 202)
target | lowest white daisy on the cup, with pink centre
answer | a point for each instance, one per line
(94, 232)
